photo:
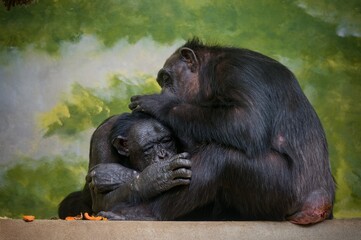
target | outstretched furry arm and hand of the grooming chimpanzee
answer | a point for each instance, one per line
(224, 123)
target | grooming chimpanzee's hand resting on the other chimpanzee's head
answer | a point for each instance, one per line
(152, 104)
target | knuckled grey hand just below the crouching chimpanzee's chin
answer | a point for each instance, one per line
(162, 176)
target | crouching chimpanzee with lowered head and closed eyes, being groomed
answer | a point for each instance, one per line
(132, 158)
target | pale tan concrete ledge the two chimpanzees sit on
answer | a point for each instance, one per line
(60, 229)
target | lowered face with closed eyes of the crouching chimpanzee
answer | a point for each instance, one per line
(149, 142)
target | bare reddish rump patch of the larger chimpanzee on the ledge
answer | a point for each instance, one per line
(316, 208)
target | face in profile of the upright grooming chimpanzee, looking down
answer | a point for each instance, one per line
(179, 74)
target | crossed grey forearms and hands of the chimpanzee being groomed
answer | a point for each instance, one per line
(113, 184)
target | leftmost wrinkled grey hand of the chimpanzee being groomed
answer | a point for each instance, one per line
(106, 177)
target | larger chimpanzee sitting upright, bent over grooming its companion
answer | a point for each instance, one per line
(257, 145)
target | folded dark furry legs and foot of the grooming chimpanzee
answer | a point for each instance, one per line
(260, 188)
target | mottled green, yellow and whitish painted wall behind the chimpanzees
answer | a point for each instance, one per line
(67, 65)
